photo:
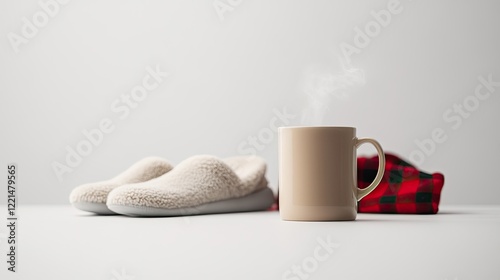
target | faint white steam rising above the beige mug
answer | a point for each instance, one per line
(320, 86)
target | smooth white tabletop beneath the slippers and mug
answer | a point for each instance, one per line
(59, 242)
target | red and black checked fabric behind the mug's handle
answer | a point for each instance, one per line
(404, 189)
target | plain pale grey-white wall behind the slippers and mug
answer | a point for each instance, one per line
(229, 76)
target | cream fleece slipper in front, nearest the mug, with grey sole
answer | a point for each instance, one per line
(198, 185)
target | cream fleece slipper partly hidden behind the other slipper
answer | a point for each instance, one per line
(92, 197)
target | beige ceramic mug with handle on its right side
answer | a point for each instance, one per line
(317, 173)
